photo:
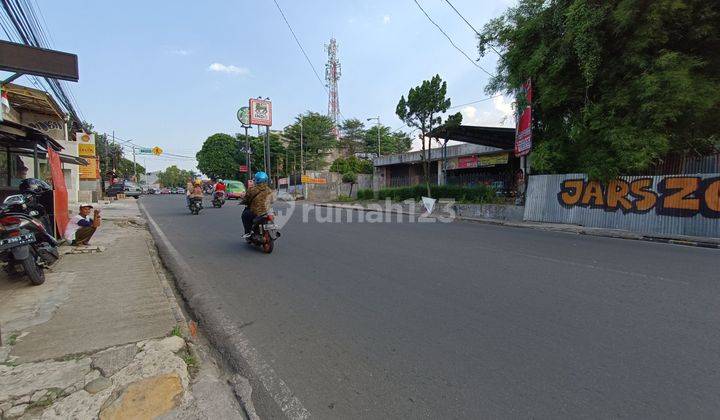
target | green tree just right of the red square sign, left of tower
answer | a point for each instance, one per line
(318, 138)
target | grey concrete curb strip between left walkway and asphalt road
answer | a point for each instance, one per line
(271, 396)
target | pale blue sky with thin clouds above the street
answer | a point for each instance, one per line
(171, 73)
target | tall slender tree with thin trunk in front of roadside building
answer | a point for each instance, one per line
(423, 110)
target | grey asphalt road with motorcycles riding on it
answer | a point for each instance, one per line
(464, 320)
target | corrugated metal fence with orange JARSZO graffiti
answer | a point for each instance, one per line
(665, 205)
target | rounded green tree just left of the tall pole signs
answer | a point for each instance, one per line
(218, 157)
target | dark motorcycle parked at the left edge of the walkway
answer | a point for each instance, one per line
(25, 242)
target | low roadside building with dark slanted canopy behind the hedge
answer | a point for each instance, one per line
(485, 156)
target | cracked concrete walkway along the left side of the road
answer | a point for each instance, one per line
(95, 338)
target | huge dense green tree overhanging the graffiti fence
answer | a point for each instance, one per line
(617, 84)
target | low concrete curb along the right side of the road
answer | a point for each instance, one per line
(580, 230)
